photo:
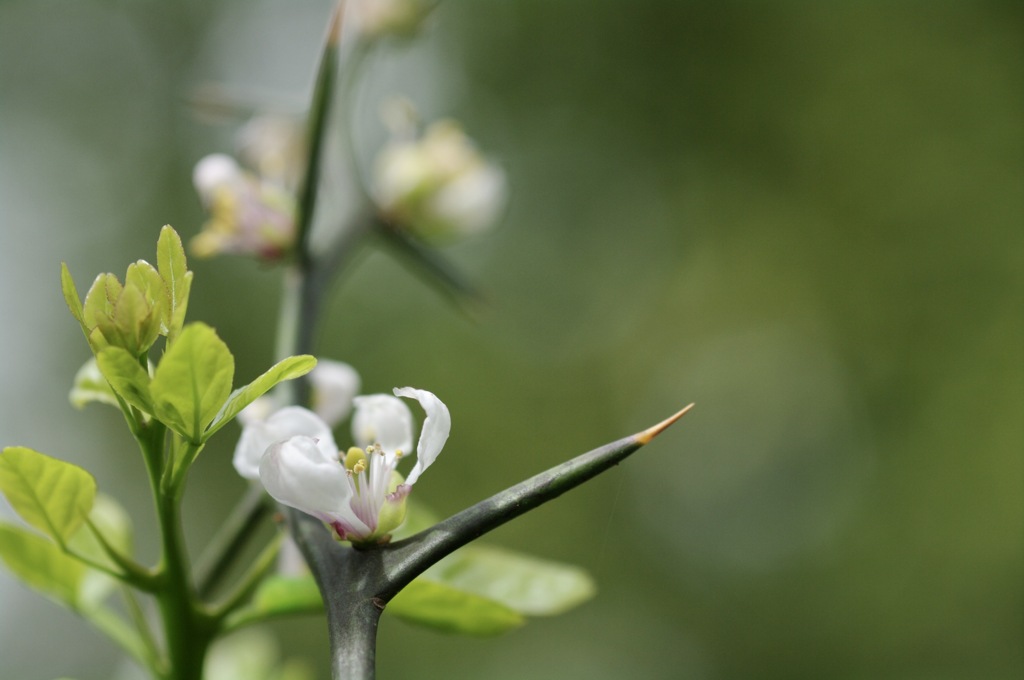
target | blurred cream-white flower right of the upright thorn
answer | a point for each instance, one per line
(438, 187)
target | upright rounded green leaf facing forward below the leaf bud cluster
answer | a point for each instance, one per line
(193, 381)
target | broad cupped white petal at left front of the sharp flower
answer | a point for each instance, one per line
(297, 474)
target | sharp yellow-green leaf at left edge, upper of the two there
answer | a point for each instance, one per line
(53, 496)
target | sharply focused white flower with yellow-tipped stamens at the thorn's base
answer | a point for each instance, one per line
(363, 497)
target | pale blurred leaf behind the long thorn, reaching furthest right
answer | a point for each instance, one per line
(528, 585)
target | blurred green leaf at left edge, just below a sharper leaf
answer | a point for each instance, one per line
(41, 565)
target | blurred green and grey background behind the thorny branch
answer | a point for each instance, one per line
(805, 218)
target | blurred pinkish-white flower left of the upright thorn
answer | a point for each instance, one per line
(248, 216)
